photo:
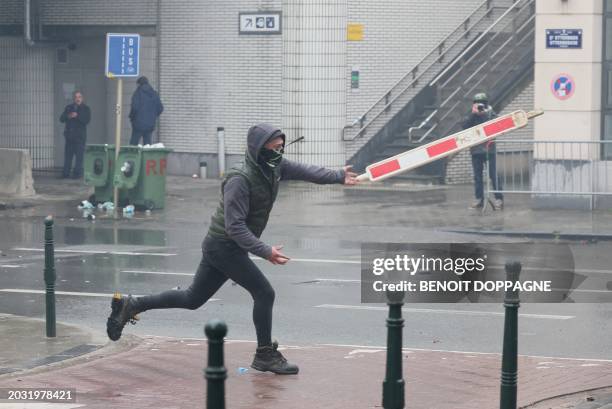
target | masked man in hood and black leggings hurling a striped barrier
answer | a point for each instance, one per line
(248, 192)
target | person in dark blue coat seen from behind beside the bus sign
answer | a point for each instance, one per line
(146, 107)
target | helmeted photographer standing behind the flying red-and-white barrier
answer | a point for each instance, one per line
(483, 112)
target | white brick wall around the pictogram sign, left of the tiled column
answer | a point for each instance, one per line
(213, 77)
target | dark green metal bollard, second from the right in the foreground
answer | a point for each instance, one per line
(393, 385)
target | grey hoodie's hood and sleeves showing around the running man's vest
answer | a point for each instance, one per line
(236, 190)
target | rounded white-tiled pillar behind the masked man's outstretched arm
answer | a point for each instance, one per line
(314, 67)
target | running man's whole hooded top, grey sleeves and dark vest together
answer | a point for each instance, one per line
(249, 191)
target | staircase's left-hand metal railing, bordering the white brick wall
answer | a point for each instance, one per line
(425, 70)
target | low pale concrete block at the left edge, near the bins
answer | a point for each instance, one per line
(16, 173)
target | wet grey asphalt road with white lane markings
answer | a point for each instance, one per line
(317, 293)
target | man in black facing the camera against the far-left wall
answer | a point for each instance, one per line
(76, 116)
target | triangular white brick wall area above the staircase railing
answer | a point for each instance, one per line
(396, 37)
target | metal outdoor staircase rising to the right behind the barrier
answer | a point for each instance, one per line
(491, 50)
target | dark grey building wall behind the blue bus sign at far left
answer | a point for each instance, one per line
(34, 87)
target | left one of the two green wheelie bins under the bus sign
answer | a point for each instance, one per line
(98, 171)
